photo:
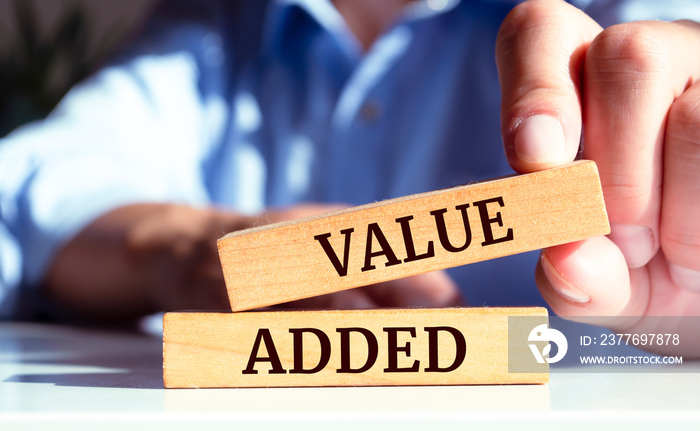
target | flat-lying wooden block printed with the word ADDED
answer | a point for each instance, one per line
(448, 346)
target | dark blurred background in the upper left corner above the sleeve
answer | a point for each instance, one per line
(46, 46)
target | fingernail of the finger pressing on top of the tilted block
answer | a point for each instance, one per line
(539, 139)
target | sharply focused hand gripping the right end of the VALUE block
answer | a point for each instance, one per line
(631, 92)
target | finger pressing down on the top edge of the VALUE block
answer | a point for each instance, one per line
(540, 51)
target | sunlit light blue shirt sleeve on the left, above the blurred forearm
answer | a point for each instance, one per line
(138, 131)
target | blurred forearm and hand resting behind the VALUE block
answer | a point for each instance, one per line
(143, 258)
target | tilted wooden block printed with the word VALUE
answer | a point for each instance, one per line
(412, 235)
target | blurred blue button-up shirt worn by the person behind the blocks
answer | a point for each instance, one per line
(216, 106)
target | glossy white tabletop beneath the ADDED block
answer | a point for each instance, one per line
(62, 377)
